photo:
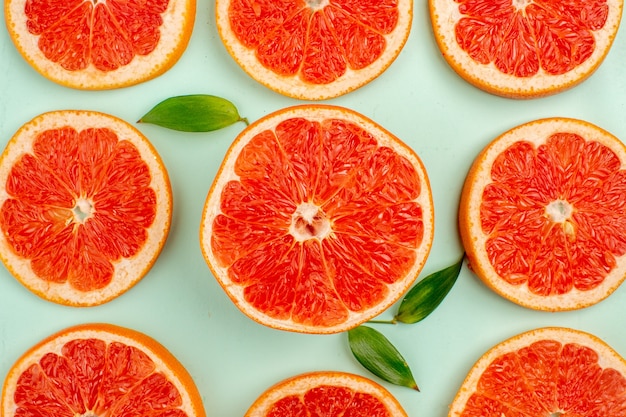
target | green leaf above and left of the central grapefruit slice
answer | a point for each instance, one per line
(193, 113)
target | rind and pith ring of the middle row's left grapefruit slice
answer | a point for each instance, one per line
(128, 271)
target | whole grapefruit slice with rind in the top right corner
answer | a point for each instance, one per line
(524, 48)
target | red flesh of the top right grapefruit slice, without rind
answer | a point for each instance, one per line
(521, 37)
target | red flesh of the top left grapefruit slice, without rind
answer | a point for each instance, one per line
(106, 34)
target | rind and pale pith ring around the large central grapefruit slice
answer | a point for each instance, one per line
(226, 173)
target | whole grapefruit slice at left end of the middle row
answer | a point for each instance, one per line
(85, 206)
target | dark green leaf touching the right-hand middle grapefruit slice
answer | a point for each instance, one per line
(427, 294)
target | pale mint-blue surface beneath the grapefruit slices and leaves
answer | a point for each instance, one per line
(232, 359)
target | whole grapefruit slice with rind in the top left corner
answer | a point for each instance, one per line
(95, 45)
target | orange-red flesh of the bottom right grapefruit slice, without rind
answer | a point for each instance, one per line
(548, 378)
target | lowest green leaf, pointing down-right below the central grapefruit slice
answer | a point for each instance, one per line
(374, 351)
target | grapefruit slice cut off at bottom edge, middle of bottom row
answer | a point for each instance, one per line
(326, 393)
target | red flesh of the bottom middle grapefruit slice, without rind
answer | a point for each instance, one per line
(329, 400)
